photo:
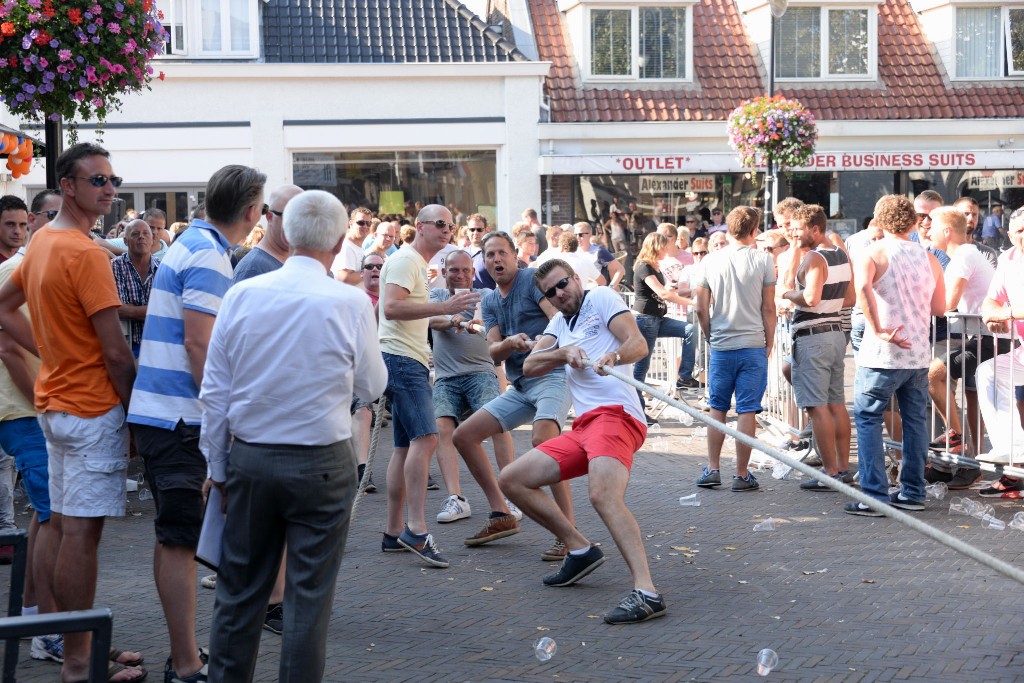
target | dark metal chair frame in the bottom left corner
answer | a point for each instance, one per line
(100, 622)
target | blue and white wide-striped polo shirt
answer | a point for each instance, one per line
(195, 274)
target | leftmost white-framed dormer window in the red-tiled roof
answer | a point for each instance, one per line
(646, 44)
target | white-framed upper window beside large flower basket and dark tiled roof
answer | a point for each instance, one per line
(211, 28)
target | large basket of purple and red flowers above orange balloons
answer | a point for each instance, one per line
(75, 59)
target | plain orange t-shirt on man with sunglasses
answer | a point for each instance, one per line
(67, 279)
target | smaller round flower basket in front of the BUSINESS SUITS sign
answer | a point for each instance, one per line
(773, 127)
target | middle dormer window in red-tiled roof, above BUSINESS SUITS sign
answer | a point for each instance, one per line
(835, 44)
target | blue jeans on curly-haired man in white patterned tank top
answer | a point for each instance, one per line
(873, 390)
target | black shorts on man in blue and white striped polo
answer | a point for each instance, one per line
(176, 471)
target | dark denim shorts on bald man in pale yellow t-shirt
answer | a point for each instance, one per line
(410, 393)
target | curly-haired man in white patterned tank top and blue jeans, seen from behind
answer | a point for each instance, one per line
(900, 288)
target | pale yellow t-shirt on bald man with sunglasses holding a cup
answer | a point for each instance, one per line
(408, 270)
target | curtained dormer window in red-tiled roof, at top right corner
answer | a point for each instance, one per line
(990, 42)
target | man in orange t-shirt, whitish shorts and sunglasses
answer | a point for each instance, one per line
(84, 381)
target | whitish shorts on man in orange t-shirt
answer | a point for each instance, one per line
(89, 461)
